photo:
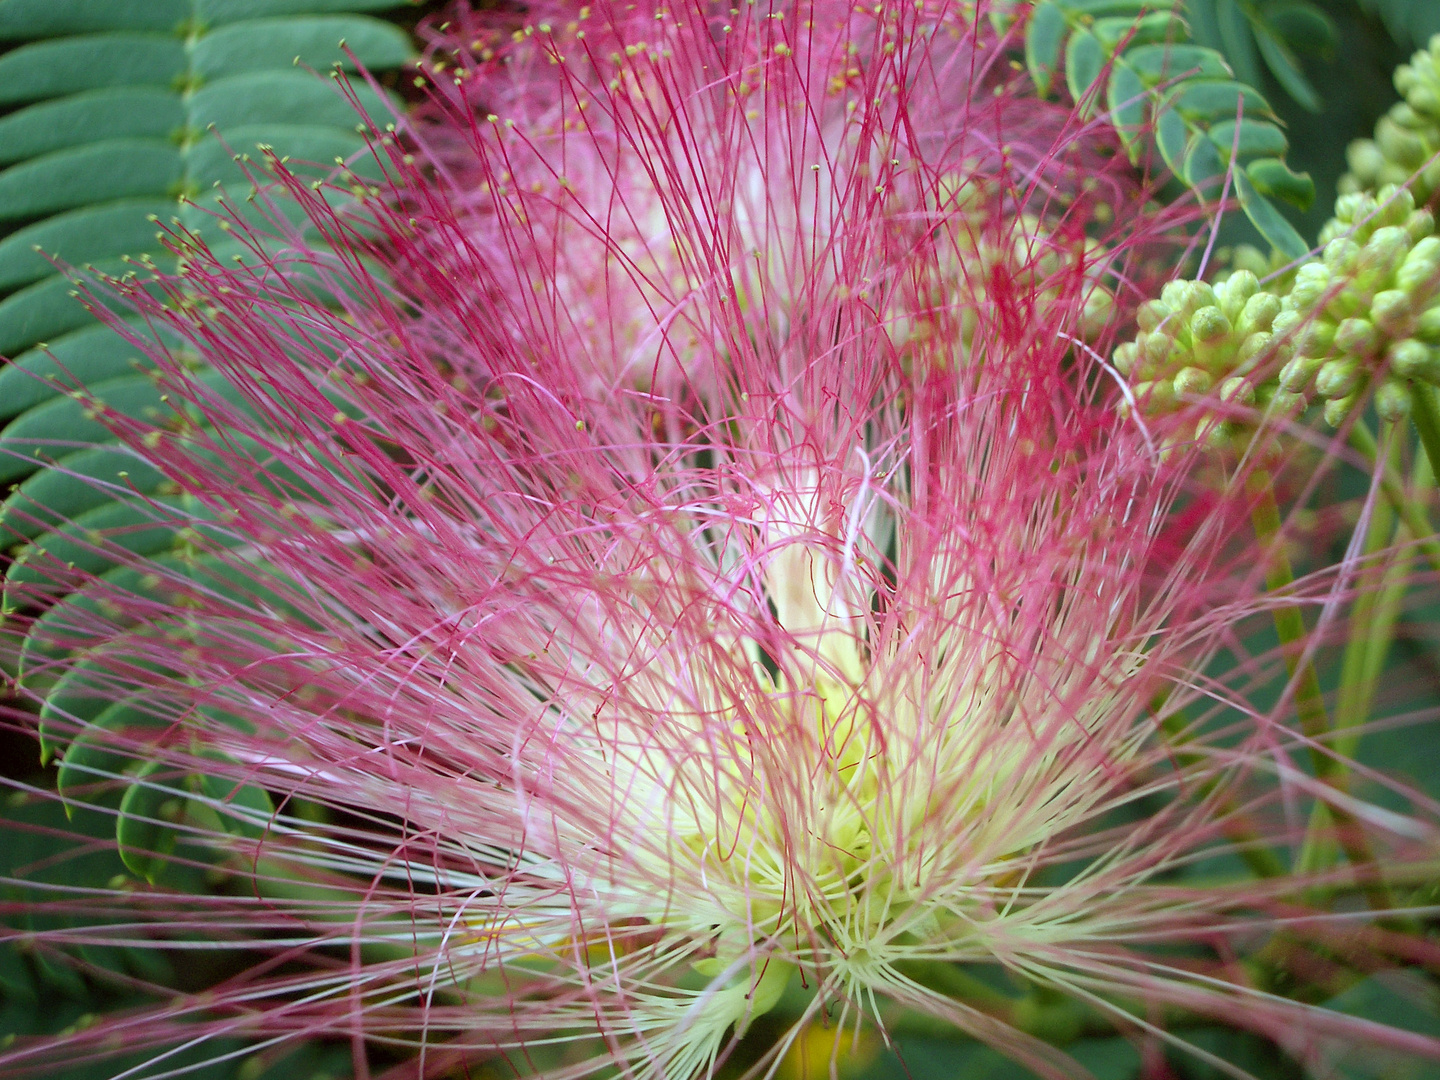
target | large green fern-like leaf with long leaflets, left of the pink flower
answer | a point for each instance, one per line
(126, 114)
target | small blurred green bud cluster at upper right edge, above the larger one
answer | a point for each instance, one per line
(1408, 139)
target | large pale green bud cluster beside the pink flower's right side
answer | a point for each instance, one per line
(1367, 310)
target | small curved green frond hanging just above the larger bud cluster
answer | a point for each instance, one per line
(1134, 61)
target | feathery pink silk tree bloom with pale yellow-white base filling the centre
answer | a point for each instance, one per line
(675, 555)
